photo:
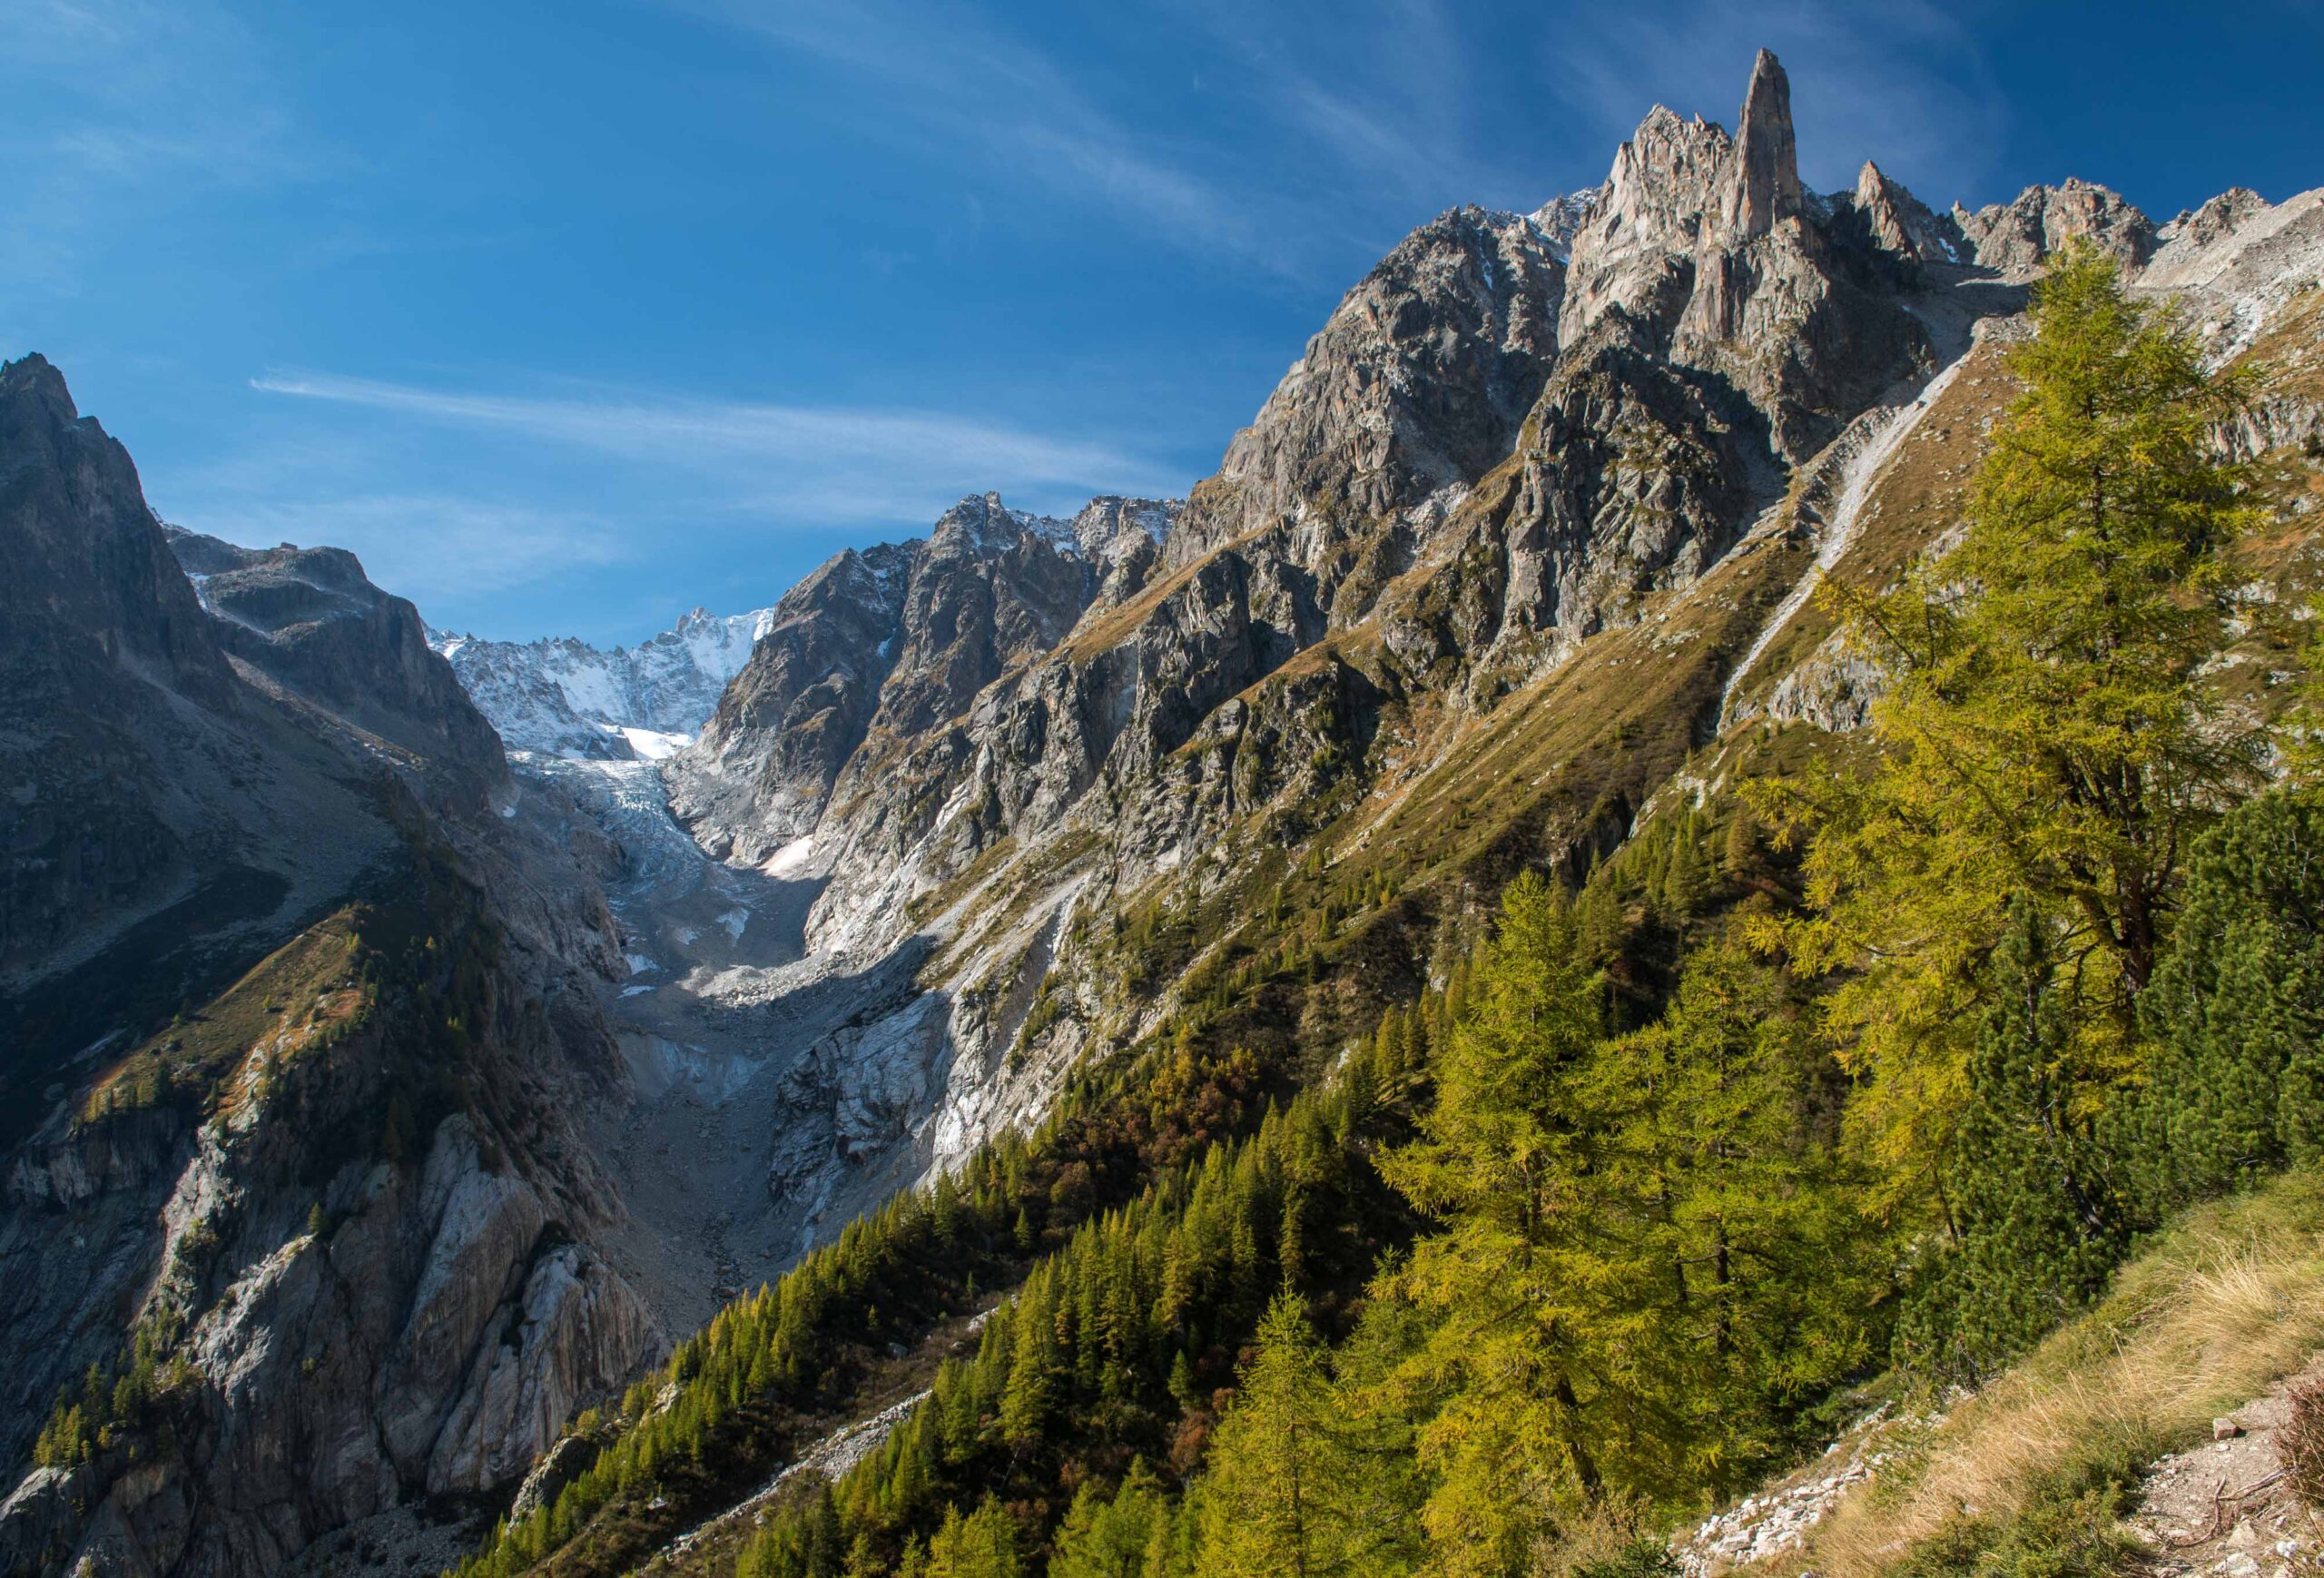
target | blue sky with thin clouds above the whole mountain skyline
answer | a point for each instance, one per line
(573, 315)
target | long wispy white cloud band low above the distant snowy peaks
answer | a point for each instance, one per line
(480, 501)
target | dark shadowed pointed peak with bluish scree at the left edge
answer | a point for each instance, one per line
(159, 808)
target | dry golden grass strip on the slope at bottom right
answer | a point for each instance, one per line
(2216, 1312)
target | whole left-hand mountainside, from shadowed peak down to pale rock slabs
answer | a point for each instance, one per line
(296, 1033)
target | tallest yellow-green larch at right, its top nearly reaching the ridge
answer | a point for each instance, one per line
(2046, 729)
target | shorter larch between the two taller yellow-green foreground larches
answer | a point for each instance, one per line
(1733, 1270)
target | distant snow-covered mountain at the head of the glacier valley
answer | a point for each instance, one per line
(568, 698)
